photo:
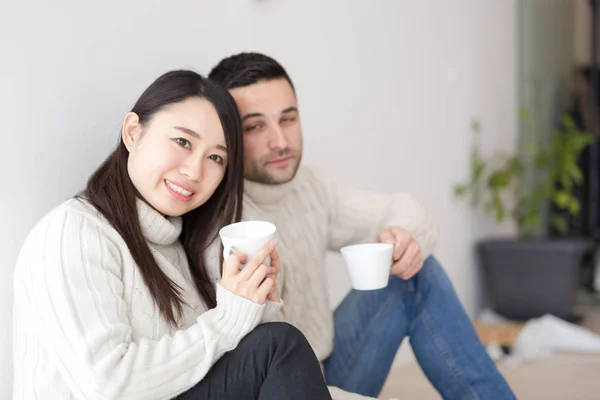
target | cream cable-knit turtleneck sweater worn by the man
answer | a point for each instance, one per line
(314, 215)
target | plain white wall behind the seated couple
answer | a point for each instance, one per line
(387, 90)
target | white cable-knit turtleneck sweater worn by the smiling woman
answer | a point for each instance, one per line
(86, 327)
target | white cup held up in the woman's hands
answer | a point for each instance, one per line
(247, 237)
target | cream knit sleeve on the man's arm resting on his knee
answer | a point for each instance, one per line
(356, 216)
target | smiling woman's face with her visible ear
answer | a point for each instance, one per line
(178, 158)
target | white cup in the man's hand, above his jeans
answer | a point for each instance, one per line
(368, 264)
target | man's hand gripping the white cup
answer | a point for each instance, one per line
(407, 257)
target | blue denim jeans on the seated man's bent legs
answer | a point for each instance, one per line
(370, 326)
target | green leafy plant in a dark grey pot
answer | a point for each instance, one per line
(531, 274)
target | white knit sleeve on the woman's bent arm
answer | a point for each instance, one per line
(73, 283)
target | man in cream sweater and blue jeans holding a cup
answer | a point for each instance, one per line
(358, 342)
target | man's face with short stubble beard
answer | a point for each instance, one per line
(272, 130)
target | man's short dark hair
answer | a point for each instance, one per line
(246, 69)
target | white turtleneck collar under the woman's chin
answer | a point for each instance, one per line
(156, 227)
